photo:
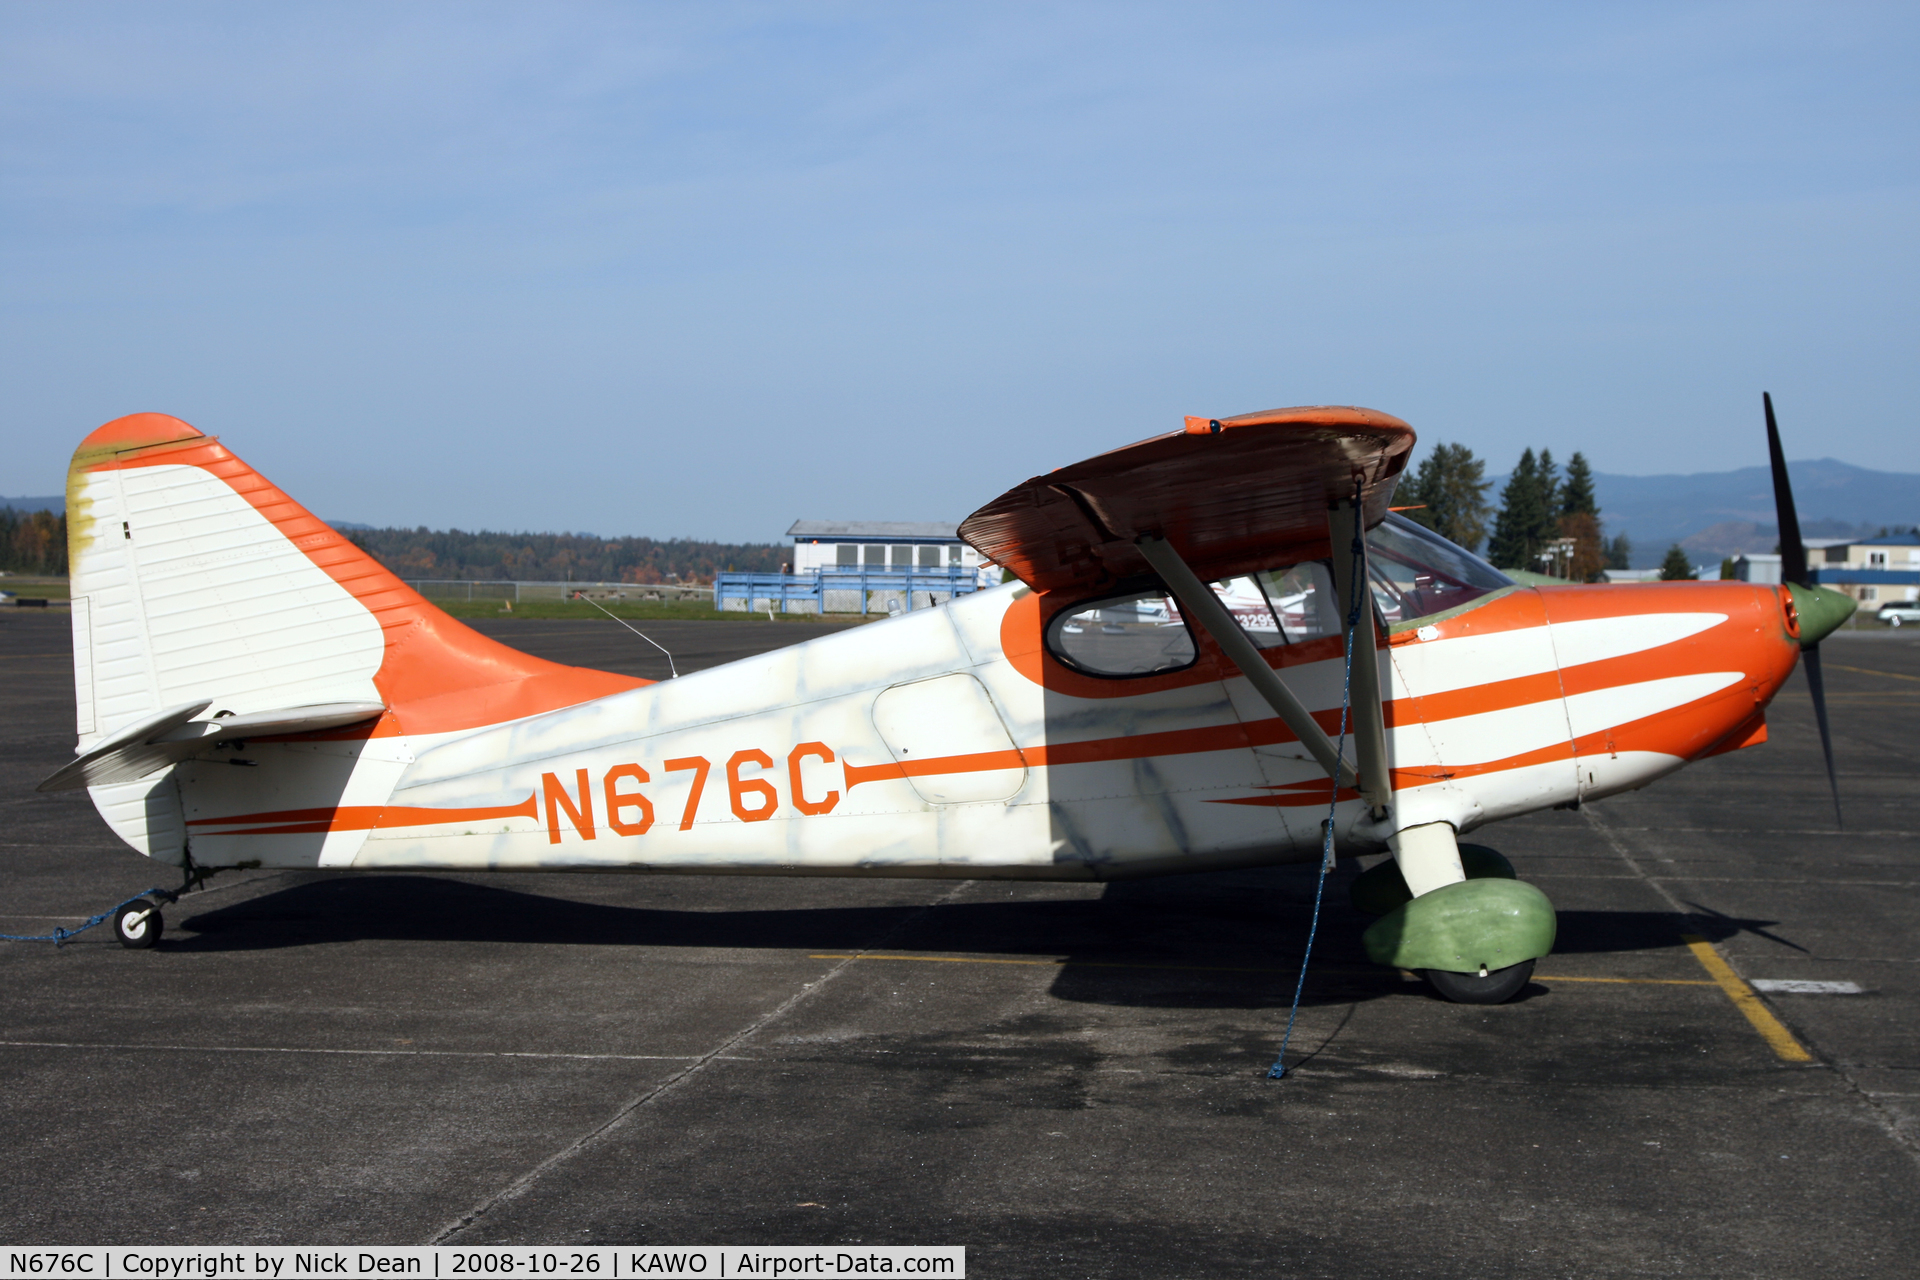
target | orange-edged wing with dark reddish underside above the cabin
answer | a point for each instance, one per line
(1230, 494)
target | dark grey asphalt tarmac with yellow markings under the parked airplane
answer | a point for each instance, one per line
(1067, 1079)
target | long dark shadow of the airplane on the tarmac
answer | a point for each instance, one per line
(1228, 939)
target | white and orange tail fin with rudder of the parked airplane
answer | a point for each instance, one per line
(199, 581)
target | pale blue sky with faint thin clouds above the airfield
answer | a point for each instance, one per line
(706, 270)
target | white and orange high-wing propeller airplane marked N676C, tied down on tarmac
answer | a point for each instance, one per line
(1159, 690)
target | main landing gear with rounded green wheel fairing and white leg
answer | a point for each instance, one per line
(1476, 939)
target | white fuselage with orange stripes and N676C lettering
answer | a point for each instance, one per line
(951, 742)
